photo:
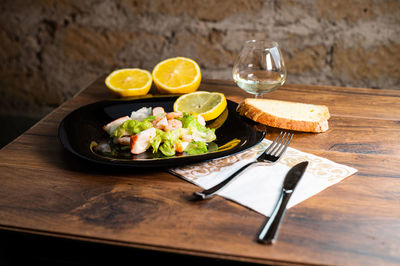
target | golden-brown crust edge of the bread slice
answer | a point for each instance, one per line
(262, 117)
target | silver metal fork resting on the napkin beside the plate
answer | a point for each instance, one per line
(271, 155)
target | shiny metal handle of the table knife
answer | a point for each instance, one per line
(269, 232)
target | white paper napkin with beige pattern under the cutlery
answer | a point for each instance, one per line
(259, 187)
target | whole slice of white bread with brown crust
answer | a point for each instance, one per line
(286, 115)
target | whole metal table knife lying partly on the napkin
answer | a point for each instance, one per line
(269, 232)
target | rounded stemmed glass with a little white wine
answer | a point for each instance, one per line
(259, 67)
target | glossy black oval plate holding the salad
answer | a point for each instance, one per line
(83, 126)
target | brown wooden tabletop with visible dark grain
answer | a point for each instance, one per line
(45, 191)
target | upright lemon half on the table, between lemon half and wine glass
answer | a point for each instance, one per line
(177, 75)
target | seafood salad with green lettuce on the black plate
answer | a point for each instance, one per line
(161, 132)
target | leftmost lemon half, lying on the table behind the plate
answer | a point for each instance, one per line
(129, 82)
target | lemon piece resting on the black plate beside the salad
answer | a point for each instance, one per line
(207, 104)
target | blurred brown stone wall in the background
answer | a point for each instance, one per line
(50, 49)
